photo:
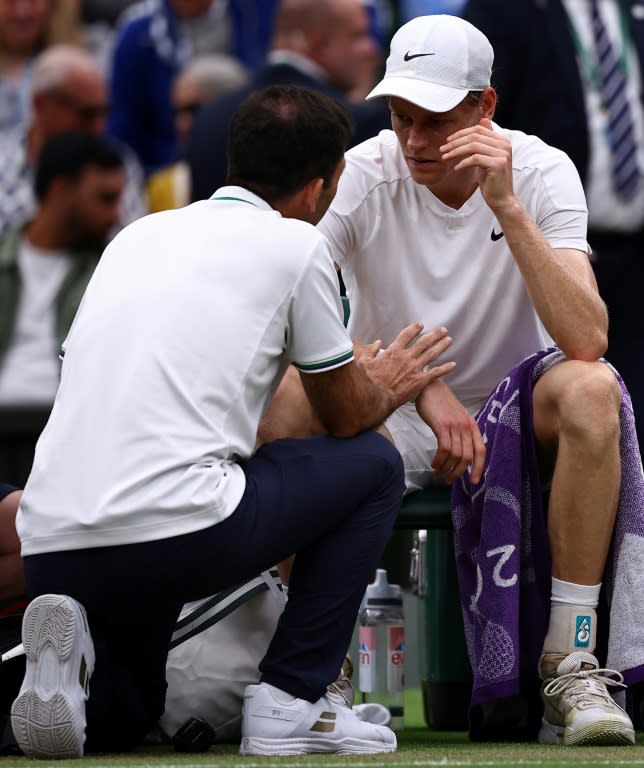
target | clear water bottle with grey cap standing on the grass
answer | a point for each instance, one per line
(381, 637)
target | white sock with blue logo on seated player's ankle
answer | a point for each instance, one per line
(573, 620)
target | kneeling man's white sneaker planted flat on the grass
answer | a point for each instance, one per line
(276, 723)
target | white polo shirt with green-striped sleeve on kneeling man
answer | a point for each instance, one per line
(183, 334)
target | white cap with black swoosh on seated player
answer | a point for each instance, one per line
(435, 61)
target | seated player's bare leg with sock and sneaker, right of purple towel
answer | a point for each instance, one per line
(576, 422)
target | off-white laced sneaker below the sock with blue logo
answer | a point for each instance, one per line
(578, 708)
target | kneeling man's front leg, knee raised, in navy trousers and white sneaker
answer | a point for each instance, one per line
(334, 503)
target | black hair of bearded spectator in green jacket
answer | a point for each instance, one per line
(68, 154)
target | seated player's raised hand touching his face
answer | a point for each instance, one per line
(490, 154)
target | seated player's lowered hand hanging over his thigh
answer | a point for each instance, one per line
(459, 438)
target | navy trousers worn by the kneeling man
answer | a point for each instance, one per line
(331, 502)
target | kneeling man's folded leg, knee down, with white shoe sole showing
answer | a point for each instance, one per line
(93, 629)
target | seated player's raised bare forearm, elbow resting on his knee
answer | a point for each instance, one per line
(561, 287)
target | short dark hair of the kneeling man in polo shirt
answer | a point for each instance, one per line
(283, 137)
